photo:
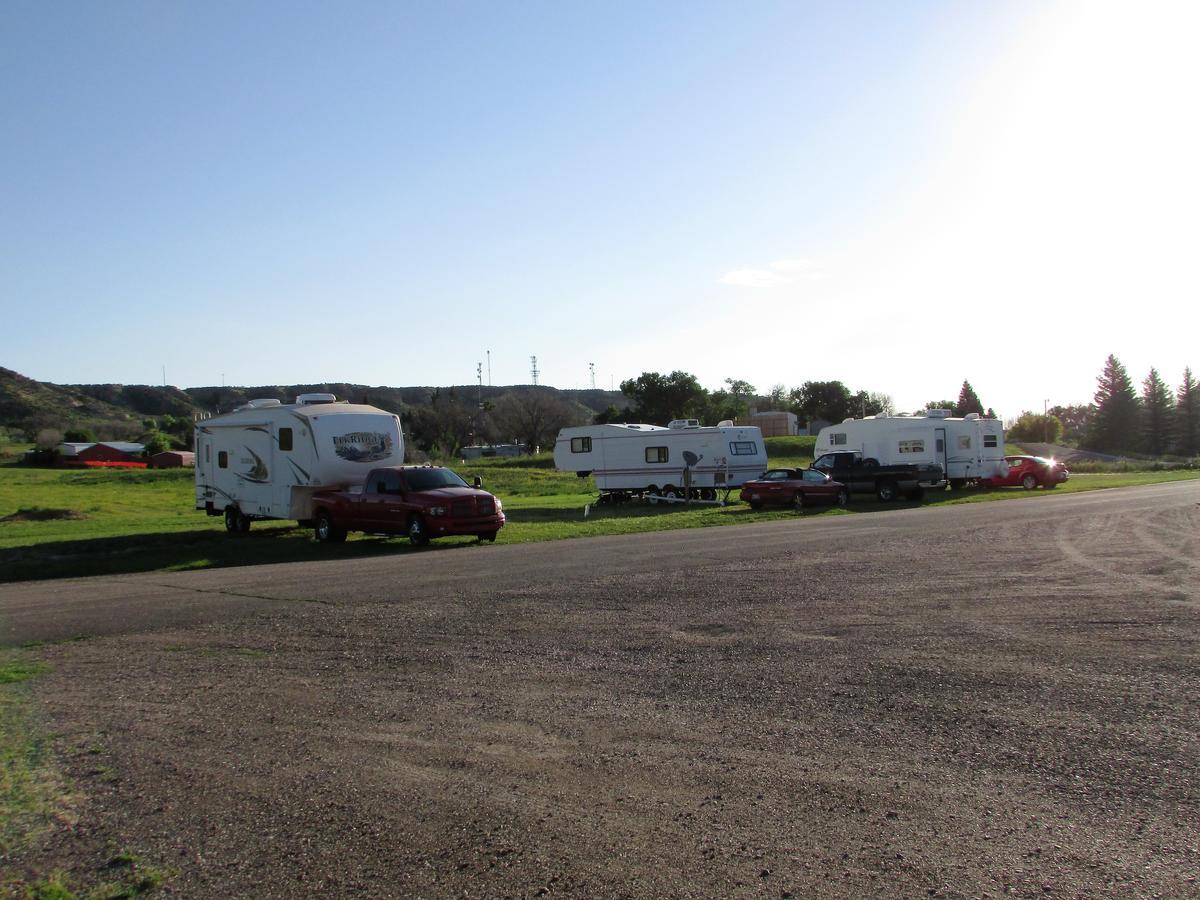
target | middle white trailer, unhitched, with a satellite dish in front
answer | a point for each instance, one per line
(652, 461)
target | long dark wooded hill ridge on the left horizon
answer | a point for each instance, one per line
(118, 411)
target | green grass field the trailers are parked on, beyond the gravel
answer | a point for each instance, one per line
(67, 523)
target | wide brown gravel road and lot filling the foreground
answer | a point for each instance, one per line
(968, 701)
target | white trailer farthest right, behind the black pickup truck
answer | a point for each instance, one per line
(967, 449)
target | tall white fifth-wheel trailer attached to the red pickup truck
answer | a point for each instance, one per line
(267, 459)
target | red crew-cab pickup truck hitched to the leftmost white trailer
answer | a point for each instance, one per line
(423, 502)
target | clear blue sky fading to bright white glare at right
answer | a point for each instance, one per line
(899, 196)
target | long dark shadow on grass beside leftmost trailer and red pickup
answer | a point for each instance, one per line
(181, 551)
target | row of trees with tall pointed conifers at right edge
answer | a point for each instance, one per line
(1156, 421)
